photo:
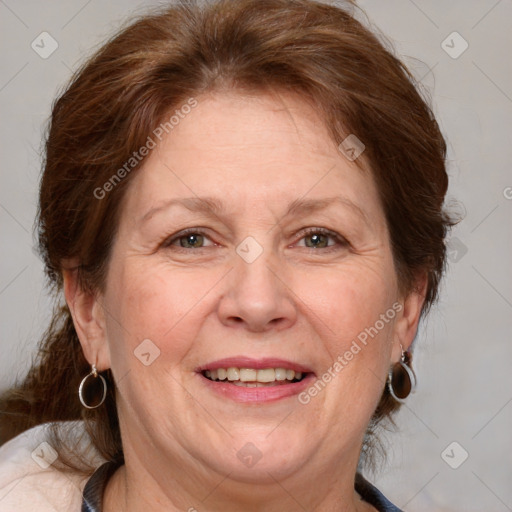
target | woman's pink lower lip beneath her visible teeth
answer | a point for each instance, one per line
(263, 394)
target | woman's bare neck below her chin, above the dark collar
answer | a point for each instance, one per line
(134, 487)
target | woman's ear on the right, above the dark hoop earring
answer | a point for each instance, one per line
(407, 322)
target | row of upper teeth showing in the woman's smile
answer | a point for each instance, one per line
(249, 377)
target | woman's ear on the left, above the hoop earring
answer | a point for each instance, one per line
(89, 320)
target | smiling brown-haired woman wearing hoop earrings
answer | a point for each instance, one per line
(242, 205)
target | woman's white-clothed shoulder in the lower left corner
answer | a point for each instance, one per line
(29, 476)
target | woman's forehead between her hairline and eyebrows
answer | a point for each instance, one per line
(249, 149)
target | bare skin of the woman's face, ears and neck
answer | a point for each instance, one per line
(255, 155)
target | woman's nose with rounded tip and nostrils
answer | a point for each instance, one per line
(257, 298)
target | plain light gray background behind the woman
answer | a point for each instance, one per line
(463, 352)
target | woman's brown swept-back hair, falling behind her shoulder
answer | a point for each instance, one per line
(121, 94)
